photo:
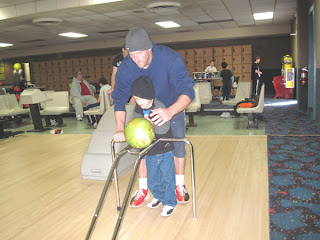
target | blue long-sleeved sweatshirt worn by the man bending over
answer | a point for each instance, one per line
(167, 71)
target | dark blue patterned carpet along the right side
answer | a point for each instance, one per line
(294, 173)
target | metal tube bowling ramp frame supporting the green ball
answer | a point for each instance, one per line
(130, 185)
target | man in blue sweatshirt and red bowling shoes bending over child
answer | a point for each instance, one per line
(173, 86)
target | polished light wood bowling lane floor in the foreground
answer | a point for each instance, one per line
(42, 195)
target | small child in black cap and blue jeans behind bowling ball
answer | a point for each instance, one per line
(159, 160)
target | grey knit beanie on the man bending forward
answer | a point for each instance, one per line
(137, 40)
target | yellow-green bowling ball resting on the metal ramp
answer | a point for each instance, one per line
(139, 133)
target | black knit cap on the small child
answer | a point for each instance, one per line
(142, 87)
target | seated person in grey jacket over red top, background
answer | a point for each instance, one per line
(81, 94)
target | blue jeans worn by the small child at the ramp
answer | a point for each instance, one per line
(161, 178)
